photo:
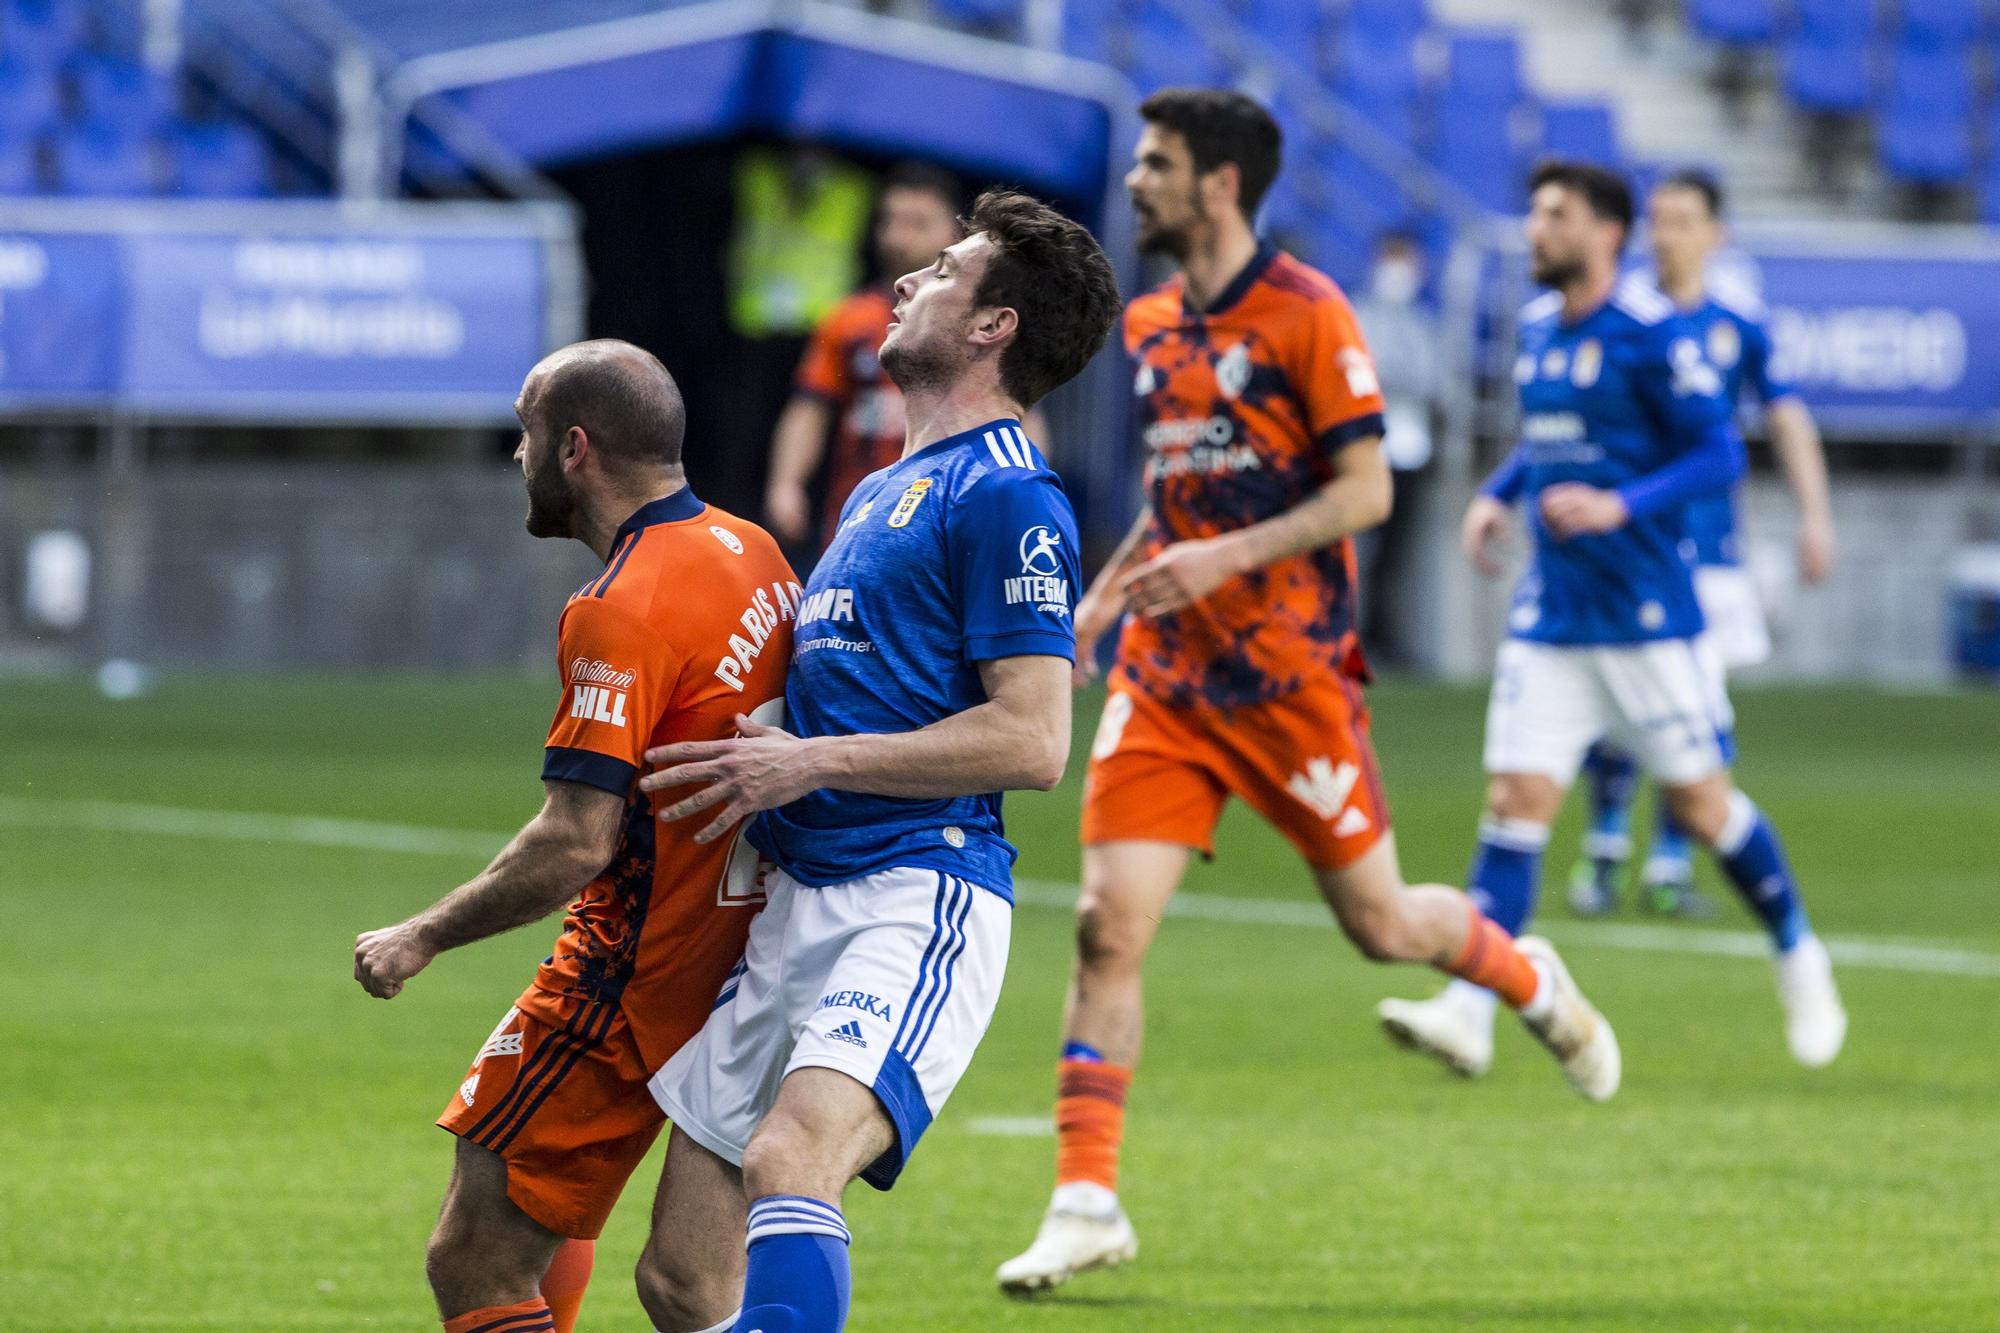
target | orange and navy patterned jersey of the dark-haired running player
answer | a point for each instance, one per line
(1243, 409)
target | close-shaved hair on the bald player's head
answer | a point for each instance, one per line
(623, 397)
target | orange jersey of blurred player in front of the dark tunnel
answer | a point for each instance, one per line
(841, 369)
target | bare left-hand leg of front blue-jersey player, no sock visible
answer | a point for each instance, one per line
(691, 1276)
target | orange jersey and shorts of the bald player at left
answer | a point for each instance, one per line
(689, 625)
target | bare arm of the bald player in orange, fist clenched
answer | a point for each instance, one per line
(557, 854)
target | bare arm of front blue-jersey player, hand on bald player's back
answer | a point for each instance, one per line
(1017, 740)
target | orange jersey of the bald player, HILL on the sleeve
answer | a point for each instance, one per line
(689, 625)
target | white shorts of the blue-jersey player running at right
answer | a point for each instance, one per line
(1661, 702)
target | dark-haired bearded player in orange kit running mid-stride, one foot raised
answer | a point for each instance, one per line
(1239, 670)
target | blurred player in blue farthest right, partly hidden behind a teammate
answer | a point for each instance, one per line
(1685, 217)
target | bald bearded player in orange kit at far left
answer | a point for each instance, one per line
(687, 627)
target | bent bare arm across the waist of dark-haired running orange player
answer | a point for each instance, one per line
(1357, 499)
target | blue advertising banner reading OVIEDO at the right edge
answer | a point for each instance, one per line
(1891, 341)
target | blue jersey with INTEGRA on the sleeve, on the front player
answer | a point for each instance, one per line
(961, 553)
